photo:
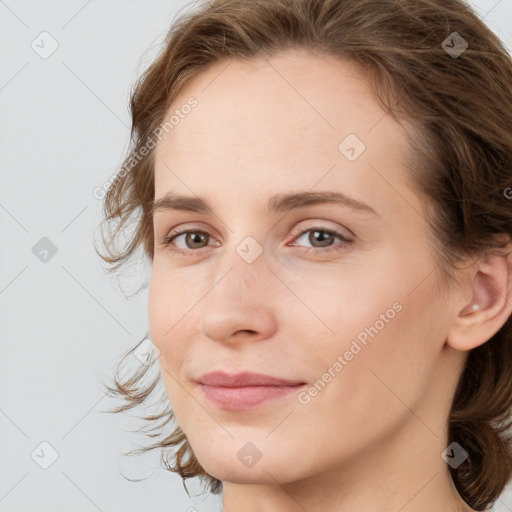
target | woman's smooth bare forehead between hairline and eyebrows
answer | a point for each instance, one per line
(284, 119)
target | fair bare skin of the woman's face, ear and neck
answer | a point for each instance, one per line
(372, 438)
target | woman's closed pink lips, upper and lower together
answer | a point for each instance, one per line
(244, 390)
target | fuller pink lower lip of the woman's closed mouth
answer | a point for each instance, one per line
(240, 398)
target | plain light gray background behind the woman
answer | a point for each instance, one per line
(64, 128)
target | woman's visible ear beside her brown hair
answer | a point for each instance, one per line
(489, 284)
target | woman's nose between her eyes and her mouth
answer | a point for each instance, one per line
(239, 304)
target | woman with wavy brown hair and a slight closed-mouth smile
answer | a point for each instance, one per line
(369, 368)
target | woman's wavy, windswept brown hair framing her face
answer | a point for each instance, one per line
(460, 107)
